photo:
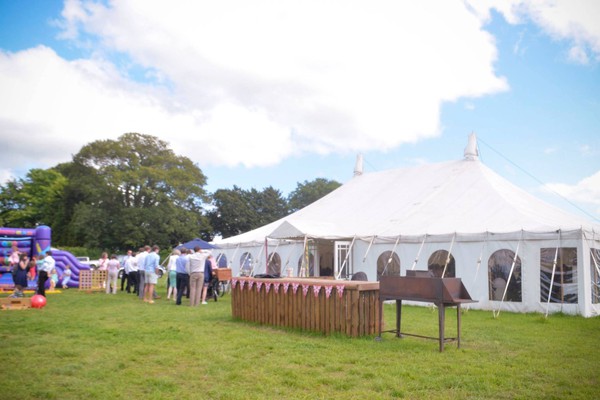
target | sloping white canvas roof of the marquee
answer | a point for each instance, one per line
(463, 197)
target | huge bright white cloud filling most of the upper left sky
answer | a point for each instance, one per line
(251, 83)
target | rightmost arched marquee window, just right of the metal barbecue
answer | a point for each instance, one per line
(499, 265)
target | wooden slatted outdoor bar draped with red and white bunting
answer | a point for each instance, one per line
(320, 305)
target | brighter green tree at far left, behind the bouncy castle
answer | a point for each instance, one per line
(33, 200)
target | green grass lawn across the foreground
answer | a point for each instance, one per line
(98, 346)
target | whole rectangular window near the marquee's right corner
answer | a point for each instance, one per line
(564, 286)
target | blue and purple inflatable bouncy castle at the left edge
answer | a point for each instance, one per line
(34, 242)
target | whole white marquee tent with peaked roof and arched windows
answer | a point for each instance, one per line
(459, 218)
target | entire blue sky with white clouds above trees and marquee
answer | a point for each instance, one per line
(277, 93)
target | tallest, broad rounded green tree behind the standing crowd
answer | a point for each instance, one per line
(133, 191)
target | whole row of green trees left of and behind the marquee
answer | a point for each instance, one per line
(118, 194)
